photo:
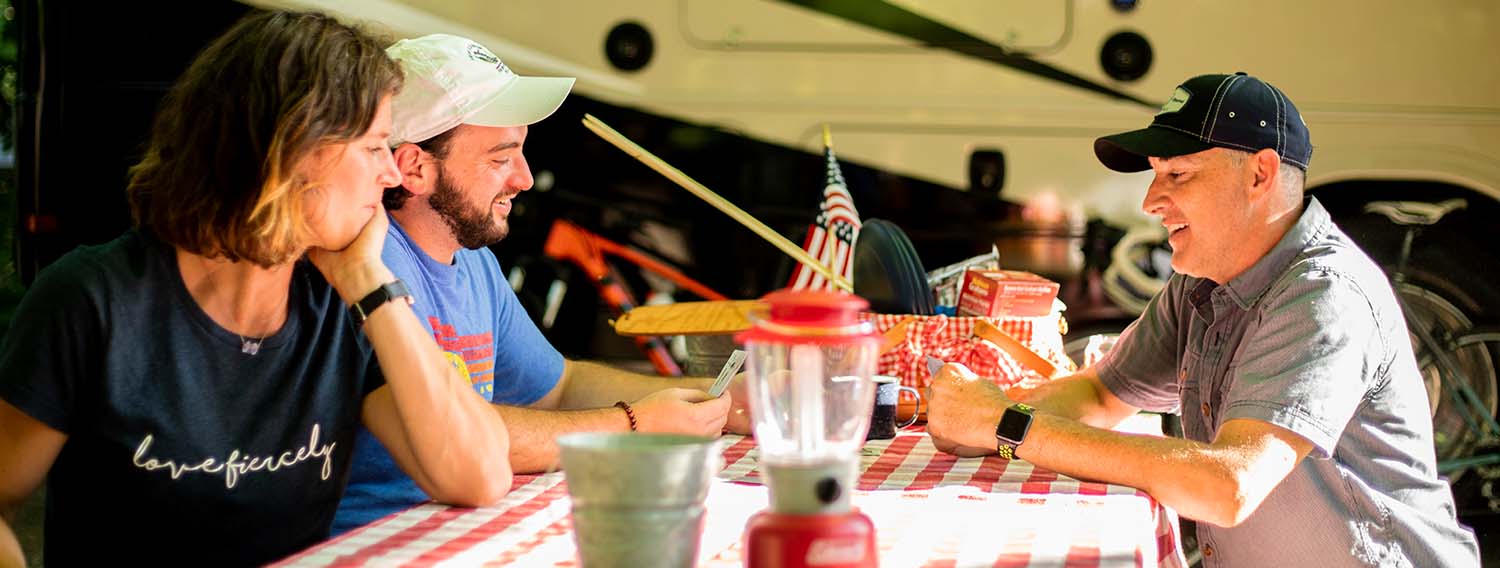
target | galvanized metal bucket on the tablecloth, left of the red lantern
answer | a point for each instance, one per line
(638, 498)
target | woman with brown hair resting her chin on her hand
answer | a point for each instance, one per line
(191, 390)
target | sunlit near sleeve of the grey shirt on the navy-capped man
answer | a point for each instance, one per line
(1309, 359)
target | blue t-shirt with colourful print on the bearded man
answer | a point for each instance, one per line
(481, 326)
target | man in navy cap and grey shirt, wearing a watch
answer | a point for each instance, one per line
(1282, 345)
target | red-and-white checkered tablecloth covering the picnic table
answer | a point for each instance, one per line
(929, 510)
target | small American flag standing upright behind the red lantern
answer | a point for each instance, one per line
(832, 236)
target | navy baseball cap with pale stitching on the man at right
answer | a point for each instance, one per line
(1229, 112)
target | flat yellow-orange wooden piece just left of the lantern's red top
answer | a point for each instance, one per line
(689, 318)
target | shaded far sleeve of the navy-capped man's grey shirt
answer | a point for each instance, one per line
(1142, 366)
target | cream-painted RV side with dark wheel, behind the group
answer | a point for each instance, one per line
(1402, 98)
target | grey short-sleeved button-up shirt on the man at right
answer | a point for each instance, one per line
(1310, 339)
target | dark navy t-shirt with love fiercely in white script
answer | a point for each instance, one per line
(181, 447)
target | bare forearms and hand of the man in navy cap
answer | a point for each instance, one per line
(1222, 483)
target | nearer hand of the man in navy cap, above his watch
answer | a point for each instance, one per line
(962, 411)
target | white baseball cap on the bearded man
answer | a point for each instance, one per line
(455, 82)
